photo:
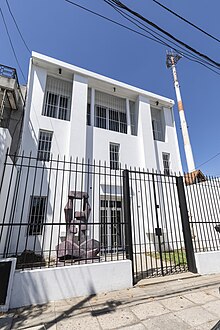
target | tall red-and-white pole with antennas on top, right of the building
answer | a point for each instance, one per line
(171, 61)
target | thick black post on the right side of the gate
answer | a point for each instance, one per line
(186, 227)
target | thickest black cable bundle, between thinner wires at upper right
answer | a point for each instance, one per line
(157, 27)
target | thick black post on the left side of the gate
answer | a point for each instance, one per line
(127, 219)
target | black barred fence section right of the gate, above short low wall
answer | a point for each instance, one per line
(203, 203)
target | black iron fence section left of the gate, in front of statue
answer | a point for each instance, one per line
(61, 212)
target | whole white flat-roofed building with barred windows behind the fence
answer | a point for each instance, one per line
(74, 113)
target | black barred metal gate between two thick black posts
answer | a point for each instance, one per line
(159, 229)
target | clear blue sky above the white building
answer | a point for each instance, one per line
(68, 33)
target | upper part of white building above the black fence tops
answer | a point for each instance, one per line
(83, 114)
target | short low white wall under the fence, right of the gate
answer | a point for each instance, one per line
(208, 262)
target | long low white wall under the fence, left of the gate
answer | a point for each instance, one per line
(43, 285)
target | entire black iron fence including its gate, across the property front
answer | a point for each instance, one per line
(66, 211)
